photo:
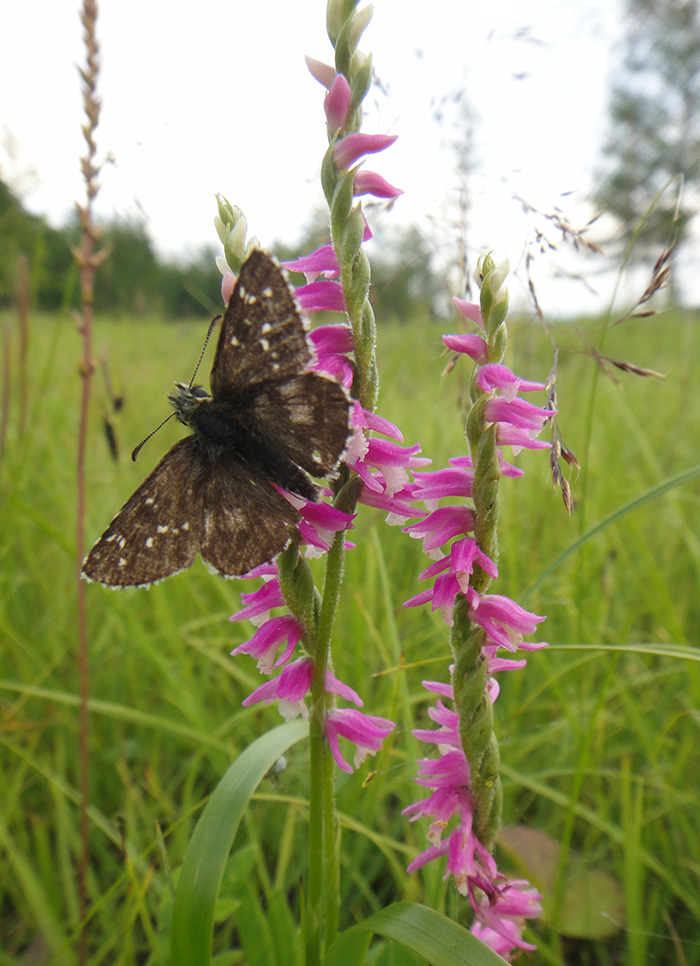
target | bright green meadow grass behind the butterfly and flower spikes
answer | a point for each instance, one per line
(599, 734)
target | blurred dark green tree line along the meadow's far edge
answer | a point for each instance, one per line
(134, 280)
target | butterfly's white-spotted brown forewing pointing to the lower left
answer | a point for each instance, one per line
(159, 529)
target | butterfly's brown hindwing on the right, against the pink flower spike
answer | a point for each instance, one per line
(310, 415)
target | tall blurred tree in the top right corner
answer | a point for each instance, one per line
(655, 125)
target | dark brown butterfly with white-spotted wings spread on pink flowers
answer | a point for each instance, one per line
(268, 420)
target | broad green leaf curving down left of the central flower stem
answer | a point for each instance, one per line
(207, 853)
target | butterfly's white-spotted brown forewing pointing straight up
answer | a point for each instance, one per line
(262, 334)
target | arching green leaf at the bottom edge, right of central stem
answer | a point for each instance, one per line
(439, 940)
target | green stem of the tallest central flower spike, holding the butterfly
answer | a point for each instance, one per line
(345, 26)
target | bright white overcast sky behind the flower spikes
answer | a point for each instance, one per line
(219, 99)
